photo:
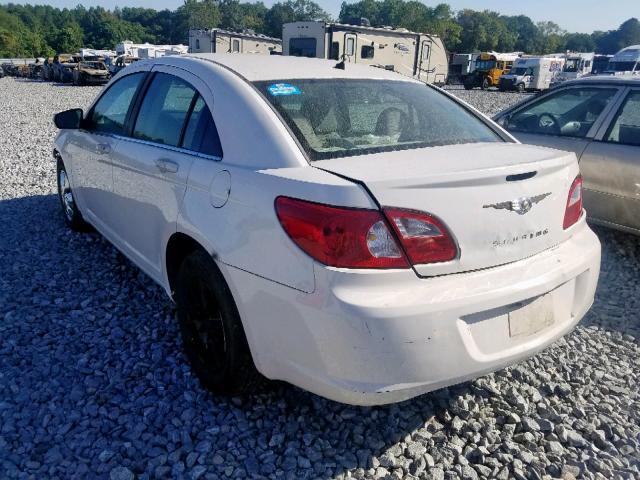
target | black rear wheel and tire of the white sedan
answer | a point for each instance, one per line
(212, 333)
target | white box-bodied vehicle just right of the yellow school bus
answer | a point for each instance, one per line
(532, 73)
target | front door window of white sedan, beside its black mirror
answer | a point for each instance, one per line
(110, 112)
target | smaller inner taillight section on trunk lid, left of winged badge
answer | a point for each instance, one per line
(425, 238)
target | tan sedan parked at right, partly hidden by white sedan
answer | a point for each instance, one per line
(598, 118)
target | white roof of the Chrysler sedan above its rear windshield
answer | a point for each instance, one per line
(256, 67)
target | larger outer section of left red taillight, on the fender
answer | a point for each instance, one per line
(340, 237)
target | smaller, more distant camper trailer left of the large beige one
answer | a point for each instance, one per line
(216, 40)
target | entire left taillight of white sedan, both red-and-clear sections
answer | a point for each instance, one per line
(361, 238)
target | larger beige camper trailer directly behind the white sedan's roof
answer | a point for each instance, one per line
(417, 55)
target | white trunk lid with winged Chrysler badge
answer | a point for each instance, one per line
(474, 189)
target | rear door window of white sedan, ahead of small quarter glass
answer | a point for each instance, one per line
(164, 110)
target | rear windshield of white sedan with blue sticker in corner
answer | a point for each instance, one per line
(343, 117)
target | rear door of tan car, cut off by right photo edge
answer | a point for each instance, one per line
(611, 166)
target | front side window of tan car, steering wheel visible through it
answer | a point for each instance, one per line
(570, 112)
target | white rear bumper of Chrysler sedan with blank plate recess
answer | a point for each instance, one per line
(378, 337)
